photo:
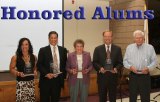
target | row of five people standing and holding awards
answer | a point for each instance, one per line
(54, 63)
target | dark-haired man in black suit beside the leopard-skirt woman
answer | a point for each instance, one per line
(51, 58)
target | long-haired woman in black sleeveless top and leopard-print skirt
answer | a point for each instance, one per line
(23, 66)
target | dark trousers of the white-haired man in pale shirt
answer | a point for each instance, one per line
(139, 84)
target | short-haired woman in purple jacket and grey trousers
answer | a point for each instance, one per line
(78, 66)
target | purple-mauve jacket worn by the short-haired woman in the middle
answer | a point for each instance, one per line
(72, 63)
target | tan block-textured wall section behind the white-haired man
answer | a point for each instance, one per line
(123, 29)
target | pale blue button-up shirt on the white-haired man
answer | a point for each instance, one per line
(140, 56)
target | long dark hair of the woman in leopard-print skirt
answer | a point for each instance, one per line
(19, 50)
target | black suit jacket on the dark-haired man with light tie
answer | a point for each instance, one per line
(44, 60)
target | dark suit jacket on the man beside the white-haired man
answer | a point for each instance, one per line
(99, 58)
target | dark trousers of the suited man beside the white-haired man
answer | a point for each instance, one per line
(107, 84)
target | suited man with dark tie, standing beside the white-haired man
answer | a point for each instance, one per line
(107, 59)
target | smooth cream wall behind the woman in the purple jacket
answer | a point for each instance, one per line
(89, 30)
